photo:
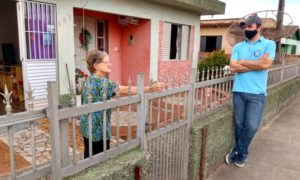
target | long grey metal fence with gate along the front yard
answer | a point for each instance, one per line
(158, 122)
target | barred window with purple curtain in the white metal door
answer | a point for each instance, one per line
(40, 31)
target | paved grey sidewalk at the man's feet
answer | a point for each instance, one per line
(275, 152)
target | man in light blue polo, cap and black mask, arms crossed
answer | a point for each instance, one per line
(250, 60)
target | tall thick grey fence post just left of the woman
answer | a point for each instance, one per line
(54, 130)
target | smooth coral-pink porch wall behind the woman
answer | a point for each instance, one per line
(127, 60)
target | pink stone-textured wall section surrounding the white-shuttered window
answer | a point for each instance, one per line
(176, 72)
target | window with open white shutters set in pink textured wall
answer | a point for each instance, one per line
(176, 41)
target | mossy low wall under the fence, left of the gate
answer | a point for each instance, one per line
(134, 164)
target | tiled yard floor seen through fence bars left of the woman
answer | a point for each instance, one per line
(22, 147)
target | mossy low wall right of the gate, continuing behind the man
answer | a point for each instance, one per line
(220, 130)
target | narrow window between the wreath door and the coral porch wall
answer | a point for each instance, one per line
(102, 36)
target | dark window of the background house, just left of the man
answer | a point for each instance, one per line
(210, 43)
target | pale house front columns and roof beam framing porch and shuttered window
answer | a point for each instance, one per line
(136, 8)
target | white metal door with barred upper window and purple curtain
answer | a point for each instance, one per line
(38, 48)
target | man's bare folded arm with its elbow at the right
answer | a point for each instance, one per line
(264, 63)
